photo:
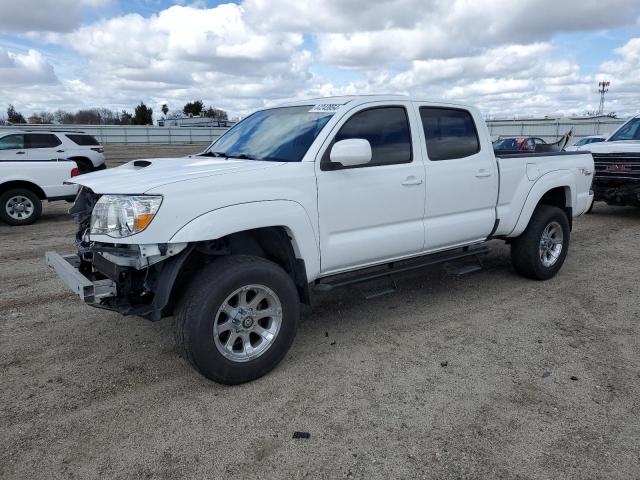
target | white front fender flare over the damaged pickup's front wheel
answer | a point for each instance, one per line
(251, 215)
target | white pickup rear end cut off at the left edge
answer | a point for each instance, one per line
(24, 184)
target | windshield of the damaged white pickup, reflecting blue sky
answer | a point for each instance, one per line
(278, 134)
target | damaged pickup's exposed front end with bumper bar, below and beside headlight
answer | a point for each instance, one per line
(128, 278)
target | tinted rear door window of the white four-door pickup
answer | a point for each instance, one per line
(450, 133)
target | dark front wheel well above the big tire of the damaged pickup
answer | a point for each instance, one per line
(271, 243)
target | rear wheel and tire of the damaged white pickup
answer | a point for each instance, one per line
(540, 250)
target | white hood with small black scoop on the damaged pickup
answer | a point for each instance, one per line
(140, 176)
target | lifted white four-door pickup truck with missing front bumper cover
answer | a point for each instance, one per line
(315, 194)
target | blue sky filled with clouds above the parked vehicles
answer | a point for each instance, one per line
(510, 57)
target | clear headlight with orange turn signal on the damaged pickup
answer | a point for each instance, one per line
(123, 215)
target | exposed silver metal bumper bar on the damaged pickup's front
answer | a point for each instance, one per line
(67, 268)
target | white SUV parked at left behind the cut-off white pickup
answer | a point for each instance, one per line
(34, 145)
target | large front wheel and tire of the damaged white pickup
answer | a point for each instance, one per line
(237, 319)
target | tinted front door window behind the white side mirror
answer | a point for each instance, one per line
(386, 129)
